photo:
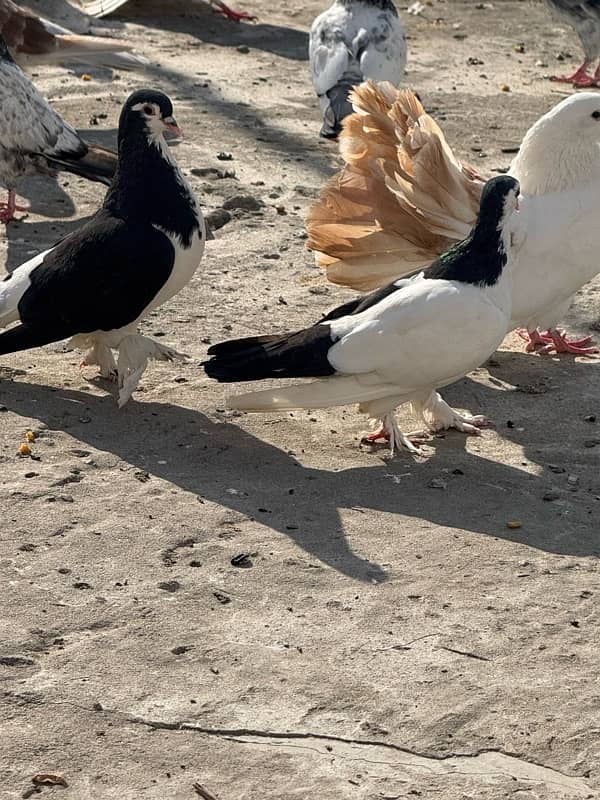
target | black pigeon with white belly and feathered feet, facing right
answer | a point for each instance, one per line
(139, 249)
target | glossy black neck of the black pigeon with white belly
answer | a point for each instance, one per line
(149, 187)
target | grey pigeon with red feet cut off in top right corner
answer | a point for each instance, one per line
(584, 17)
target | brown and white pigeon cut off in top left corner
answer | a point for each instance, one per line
(34, 40)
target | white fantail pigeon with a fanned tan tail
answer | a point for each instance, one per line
(403, 197)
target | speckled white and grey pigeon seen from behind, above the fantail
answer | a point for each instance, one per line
(350, 42)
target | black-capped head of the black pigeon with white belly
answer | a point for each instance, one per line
(149, 112)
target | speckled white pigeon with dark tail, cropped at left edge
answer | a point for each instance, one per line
(35, 139)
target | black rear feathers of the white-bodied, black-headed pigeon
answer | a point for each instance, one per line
(296, 355)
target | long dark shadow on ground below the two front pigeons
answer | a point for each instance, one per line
(226, 464)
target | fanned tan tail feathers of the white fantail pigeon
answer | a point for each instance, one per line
(401, 198)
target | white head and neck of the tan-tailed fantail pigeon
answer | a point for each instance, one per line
(562, 149)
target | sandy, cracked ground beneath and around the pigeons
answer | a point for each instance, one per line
(255, 603)
